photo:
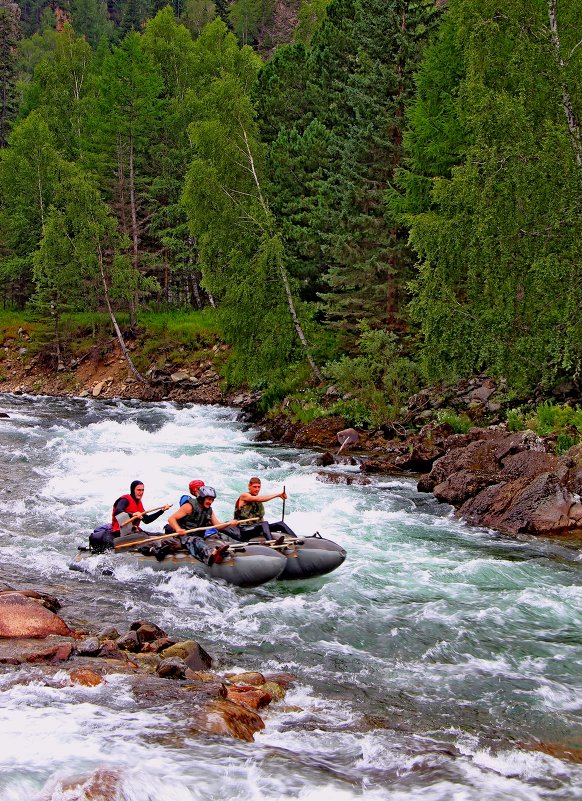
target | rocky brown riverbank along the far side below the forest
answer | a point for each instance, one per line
(512, 482)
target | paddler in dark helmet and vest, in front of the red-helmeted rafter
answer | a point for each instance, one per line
(197, 512)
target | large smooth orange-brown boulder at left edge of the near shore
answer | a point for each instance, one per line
(21, 616)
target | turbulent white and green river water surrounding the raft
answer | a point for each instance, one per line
(440, 662)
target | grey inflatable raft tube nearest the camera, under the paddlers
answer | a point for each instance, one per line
(255, 565)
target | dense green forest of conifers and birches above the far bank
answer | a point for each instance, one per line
(383, 195)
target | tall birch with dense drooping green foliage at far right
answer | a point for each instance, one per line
(498, 235)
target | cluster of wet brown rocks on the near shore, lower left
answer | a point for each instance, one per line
(36, 644)
